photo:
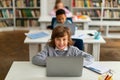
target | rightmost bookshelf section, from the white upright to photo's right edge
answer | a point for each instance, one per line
(111, 10)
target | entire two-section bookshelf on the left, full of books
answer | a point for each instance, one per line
(19, 14)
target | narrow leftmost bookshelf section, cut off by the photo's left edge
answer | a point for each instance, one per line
(6, 14)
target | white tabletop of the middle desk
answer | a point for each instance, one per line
(78, 32)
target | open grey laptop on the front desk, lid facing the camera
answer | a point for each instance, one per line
(64, 66)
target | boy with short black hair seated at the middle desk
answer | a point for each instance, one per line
(61, 19)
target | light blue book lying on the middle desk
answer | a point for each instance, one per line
(37, 35)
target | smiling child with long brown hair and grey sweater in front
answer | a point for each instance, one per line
(60, 44)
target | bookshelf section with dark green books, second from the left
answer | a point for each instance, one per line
(27, 13)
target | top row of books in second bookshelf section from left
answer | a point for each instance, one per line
(27, 3)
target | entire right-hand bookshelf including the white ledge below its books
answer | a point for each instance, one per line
(104, 13)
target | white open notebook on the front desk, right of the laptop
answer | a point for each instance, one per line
(96, 67)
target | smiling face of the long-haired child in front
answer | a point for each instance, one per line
(61, 42)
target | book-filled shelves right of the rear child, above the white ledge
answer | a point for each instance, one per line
(101, 10)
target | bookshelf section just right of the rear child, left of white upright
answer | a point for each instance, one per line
(91, 8)
